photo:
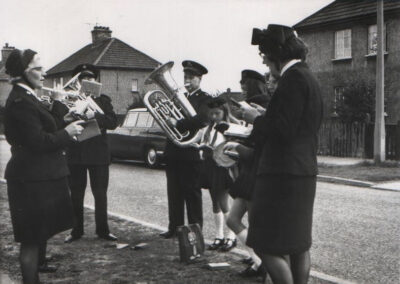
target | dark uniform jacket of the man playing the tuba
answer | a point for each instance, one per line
(198, 100)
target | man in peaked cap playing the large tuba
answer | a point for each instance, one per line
(184, 164)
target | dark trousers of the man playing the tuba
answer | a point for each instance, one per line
(183, 187)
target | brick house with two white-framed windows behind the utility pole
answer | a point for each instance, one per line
(342, 44)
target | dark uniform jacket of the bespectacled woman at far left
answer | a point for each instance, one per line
(37, 142)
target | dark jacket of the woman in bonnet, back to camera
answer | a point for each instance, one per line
(287, 133)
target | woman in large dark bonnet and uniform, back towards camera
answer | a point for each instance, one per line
(280, 219)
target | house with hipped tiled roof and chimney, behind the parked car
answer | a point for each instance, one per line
(123, 69)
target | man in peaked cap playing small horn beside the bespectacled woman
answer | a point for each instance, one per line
(91, 156)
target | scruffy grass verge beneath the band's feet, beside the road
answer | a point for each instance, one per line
(93, 260)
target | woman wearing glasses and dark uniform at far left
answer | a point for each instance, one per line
(36, 174)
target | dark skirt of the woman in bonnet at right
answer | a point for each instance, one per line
(280, 219)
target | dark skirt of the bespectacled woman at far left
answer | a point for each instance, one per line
(40, 209)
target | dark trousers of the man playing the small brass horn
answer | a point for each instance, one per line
(98, 175)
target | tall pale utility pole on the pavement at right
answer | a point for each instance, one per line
(379, 131)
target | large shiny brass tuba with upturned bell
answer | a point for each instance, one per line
(171, 102)
